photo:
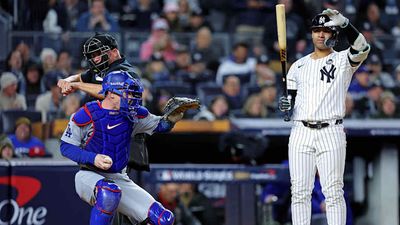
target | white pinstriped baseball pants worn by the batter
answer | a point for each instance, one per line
(323, 150)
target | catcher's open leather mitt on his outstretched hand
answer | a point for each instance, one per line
(178, 105)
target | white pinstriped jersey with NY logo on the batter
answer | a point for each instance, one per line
(321, 86)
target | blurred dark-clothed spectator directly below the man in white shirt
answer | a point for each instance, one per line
(231, 89)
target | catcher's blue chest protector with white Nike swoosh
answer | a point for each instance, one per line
(111, 133)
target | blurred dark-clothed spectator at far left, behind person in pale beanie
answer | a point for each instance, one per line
(14, 65)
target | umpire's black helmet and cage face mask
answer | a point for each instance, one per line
(95, 51)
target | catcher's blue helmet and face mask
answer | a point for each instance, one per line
(130, 90)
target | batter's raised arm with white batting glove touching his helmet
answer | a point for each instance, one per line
(359, 46)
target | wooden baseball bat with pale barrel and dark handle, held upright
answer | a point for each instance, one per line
(281, 25)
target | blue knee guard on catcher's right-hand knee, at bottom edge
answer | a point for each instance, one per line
(158, 215)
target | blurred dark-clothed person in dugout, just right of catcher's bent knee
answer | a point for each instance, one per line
(198, 204)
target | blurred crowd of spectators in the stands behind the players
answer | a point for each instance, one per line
(241, 81)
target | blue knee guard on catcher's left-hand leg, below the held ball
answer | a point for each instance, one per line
(108, 195)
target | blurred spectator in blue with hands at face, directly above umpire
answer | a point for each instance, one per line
(97, 19)
